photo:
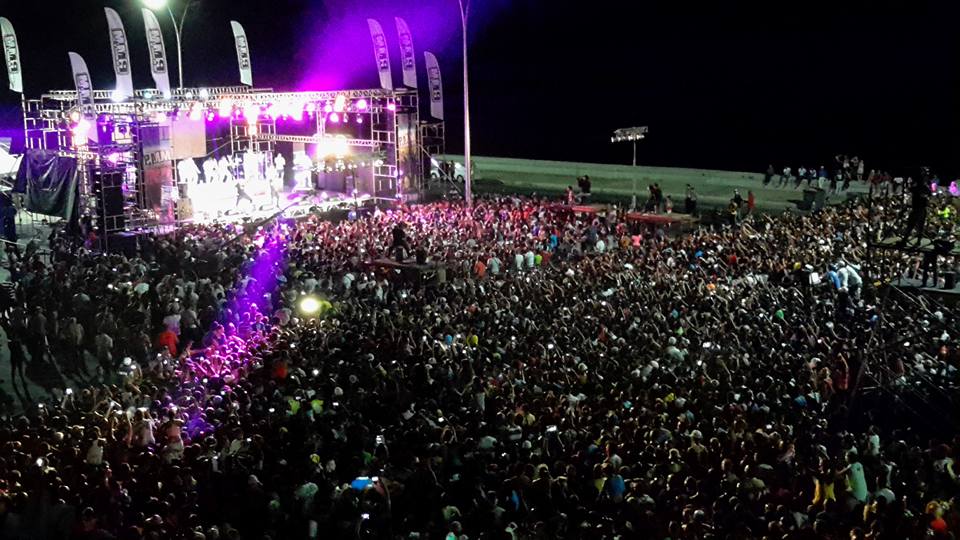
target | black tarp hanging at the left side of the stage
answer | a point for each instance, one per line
(49, 183)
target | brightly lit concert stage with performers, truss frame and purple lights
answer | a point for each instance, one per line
(154, 162)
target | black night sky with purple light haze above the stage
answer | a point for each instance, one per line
(730, 85)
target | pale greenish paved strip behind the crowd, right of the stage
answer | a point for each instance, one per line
(714, 188)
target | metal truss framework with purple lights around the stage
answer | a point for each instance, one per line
(108, 139)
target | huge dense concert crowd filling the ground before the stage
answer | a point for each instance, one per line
(571, 377)
